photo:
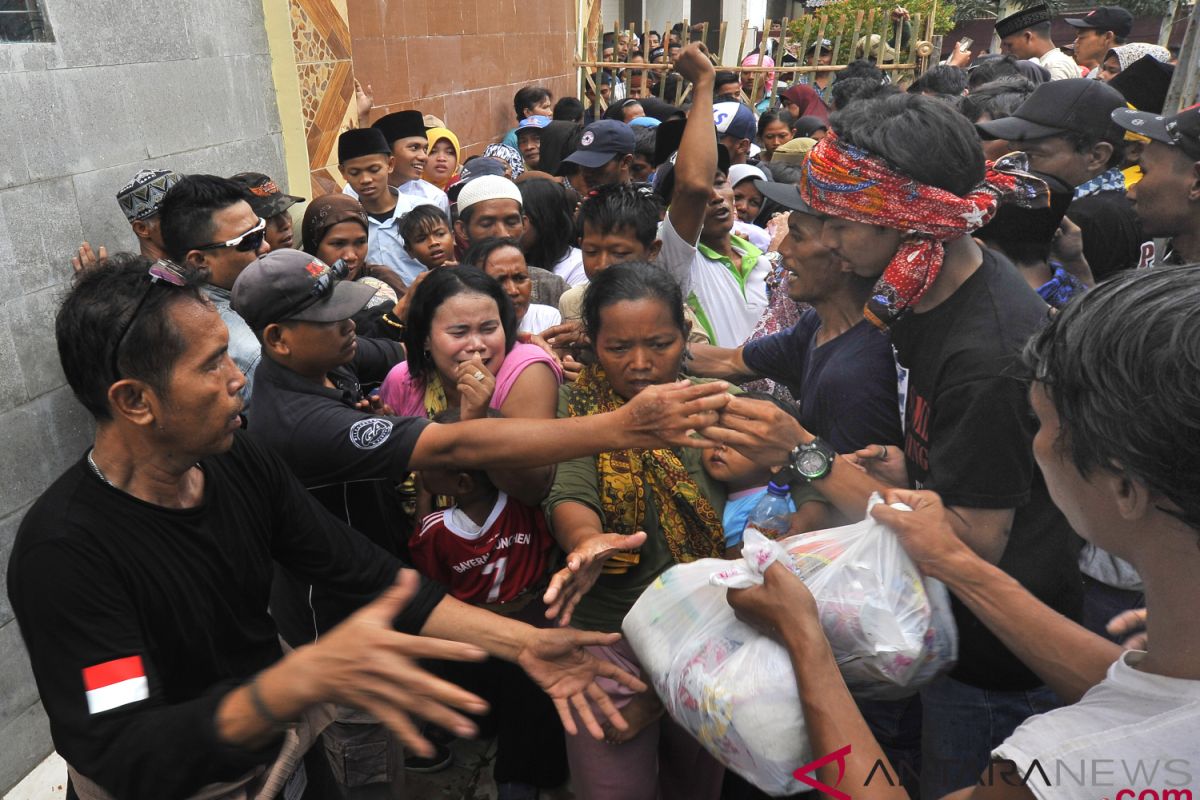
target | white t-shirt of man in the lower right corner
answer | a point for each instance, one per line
(1132, 732)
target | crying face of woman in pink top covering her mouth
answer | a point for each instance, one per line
(465, 327)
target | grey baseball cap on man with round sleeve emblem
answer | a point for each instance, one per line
(291, 286)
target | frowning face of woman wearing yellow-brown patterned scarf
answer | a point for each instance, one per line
(639, 346)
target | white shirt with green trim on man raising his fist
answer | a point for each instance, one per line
(727, 306)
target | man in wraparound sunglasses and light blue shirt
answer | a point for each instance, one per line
(207, 222)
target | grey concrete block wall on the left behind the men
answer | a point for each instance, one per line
(184, 85)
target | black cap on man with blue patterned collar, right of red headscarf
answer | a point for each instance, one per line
(1071, 106)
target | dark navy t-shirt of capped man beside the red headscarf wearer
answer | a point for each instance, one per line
(847, 388)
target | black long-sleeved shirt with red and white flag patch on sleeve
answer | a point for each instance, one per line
(107, 588)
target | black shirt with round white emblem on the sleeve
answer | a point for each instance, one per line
(350, 460)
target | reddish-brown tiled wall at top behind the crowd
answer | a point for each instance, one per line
(463, 61)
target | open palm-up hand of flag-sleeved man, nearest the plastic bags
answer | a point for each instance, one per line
(557, 661)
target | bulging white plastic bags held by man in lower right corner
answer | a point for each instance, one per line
(735, 690)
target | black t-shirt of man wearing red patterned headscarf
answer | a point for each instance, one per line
(969, 436)
